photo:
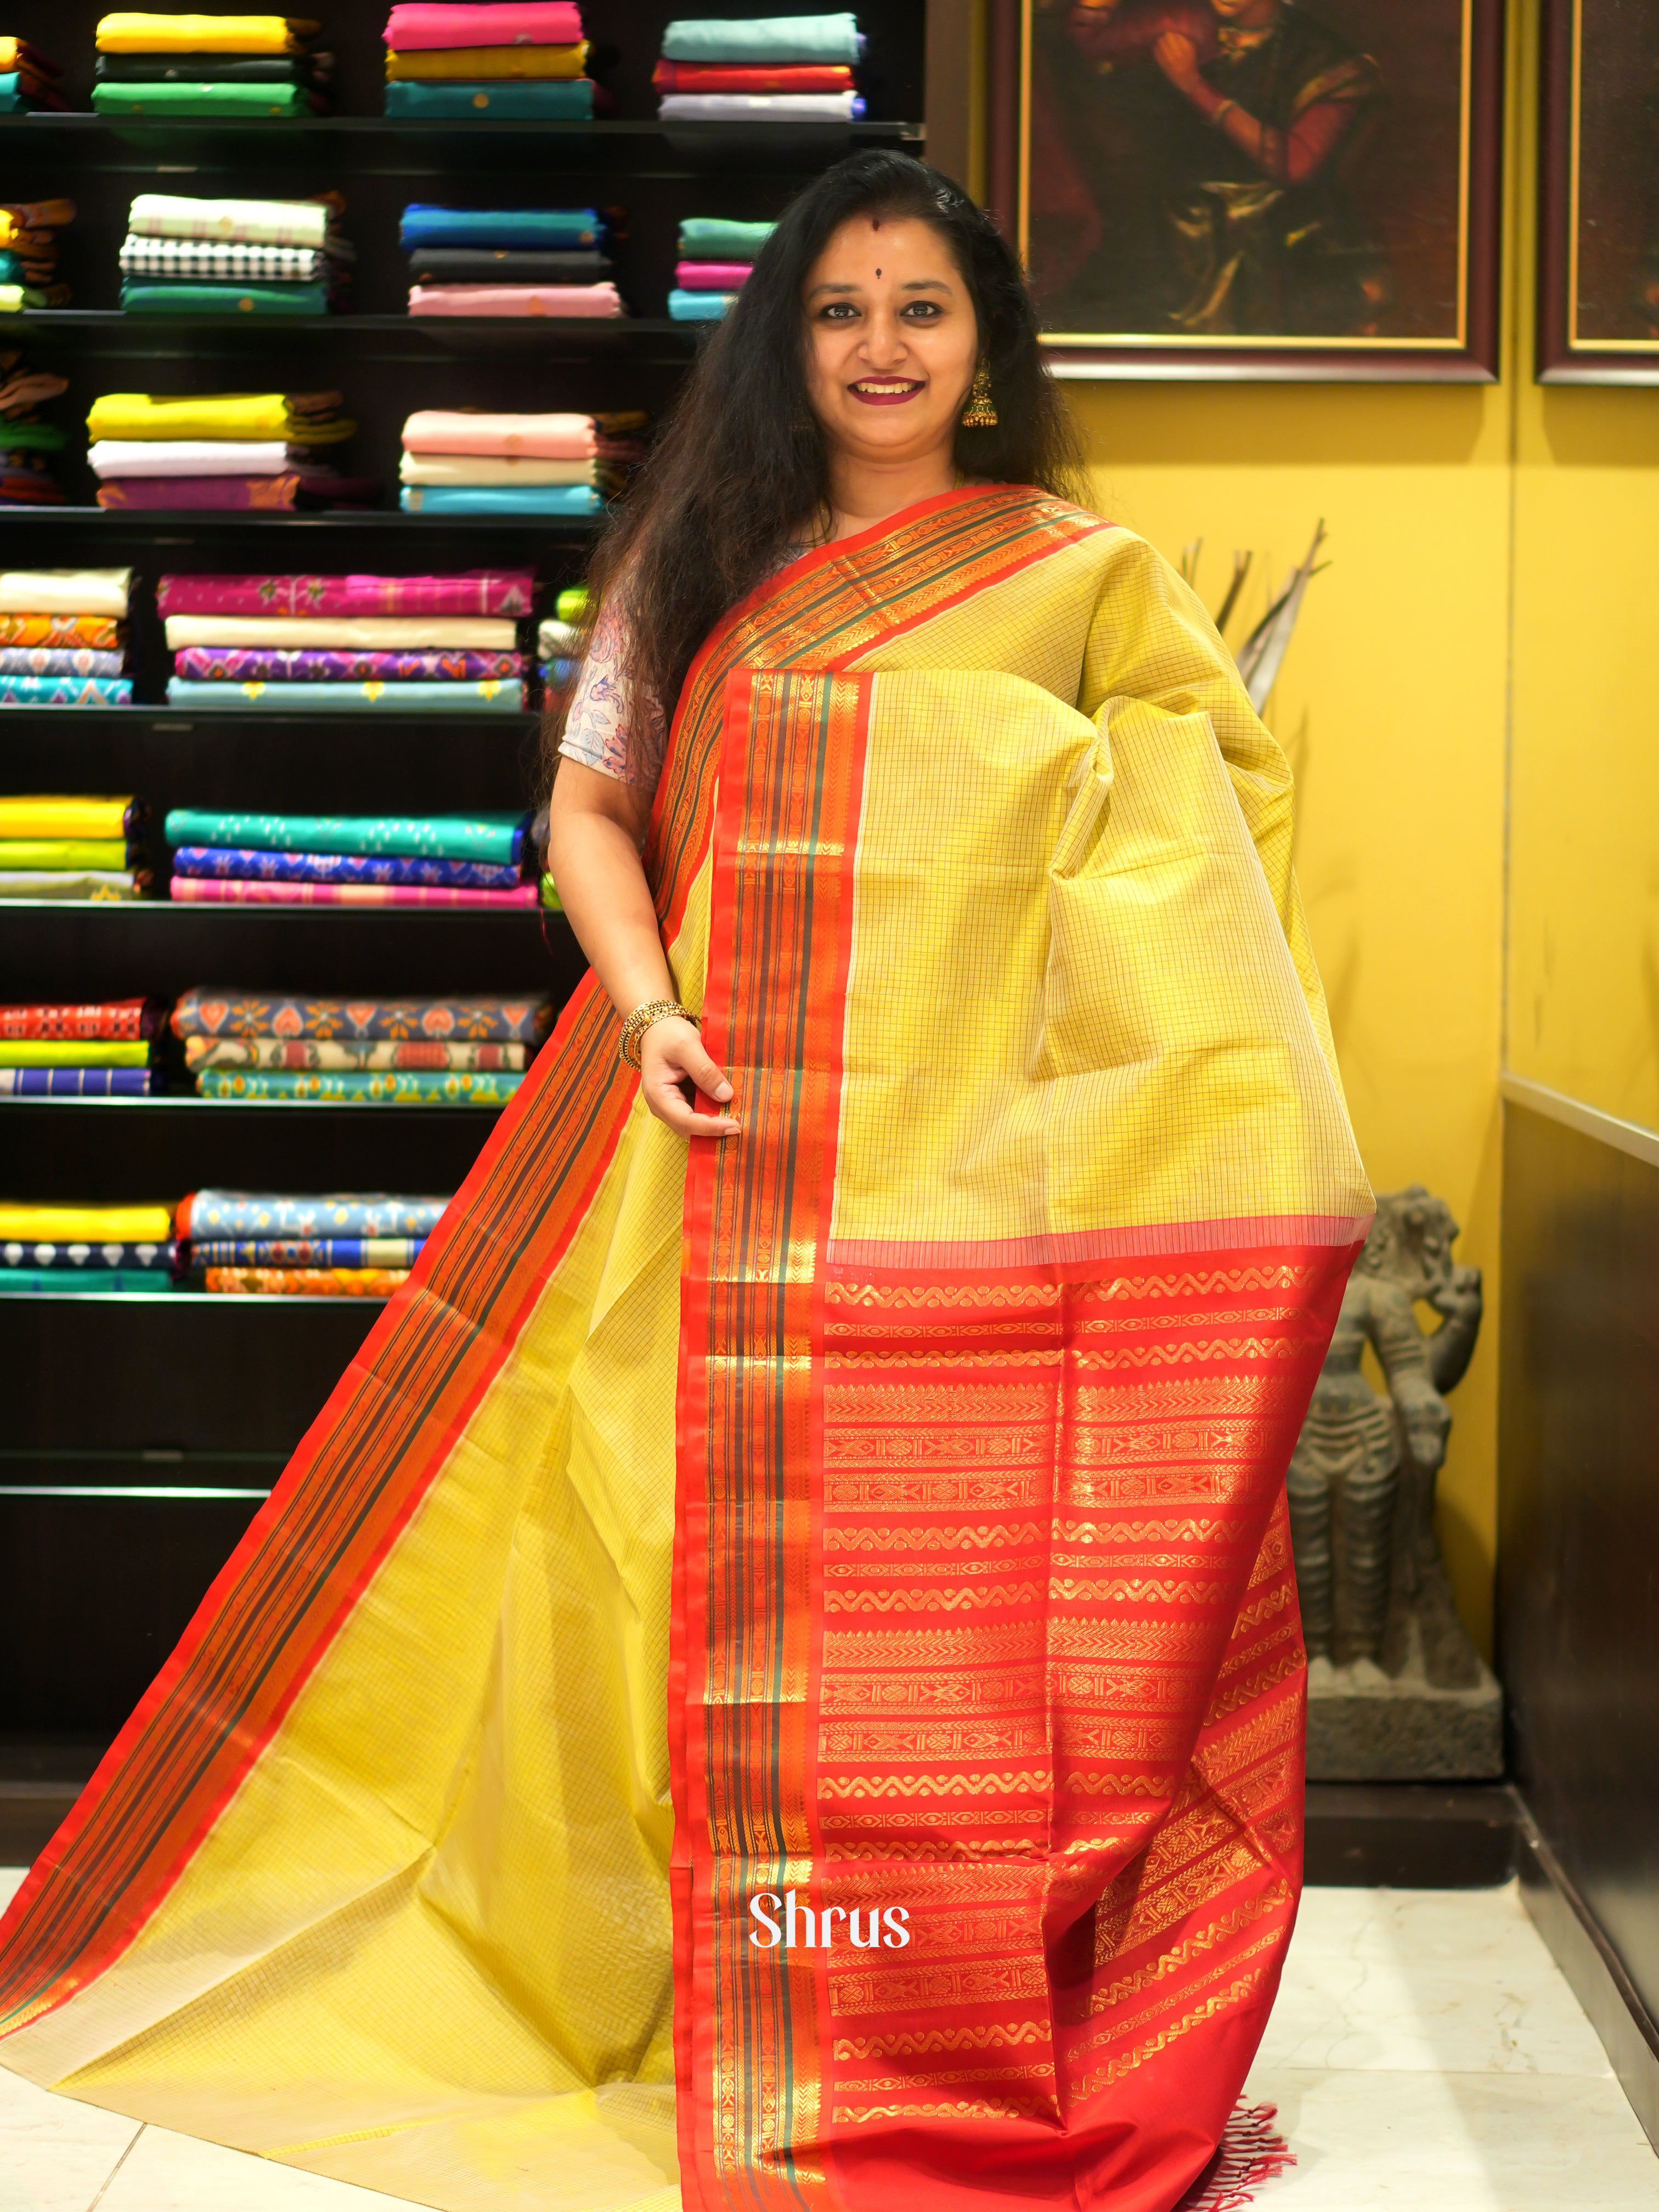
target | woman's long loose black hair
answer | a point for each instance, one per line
(742, 461)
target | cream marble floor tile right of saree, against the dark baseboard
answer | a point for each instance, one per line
(1450, 1981)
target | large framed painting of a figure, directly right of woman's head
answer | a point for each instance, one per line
(1255, 189)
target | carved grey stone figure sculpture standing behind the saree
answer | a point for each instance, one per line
(1397, 1689)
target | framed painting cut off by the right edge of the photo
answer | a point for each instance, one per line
(1598, 233)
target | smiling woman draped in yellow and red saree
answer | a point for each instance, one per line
(780, 1662)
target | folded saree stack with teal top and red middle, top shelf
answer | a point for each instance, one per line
(773, 70)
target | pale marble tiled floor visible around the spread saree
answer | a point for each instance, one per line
(1426, 2054)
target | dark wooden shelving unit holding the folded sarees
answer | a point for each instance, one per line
(147, 1430)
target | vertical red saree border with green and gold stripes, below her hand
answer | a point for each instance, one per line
(751, 1430)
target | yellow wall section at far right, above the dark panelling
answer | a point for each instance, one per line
(1585, 764)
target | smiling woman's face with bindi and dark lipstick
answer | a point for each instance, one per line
(893, 340)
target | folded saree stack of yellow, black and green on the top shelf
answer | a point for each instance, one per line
(227, 67)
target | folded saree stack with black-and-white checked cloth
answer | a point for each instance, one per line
(233, 255)
